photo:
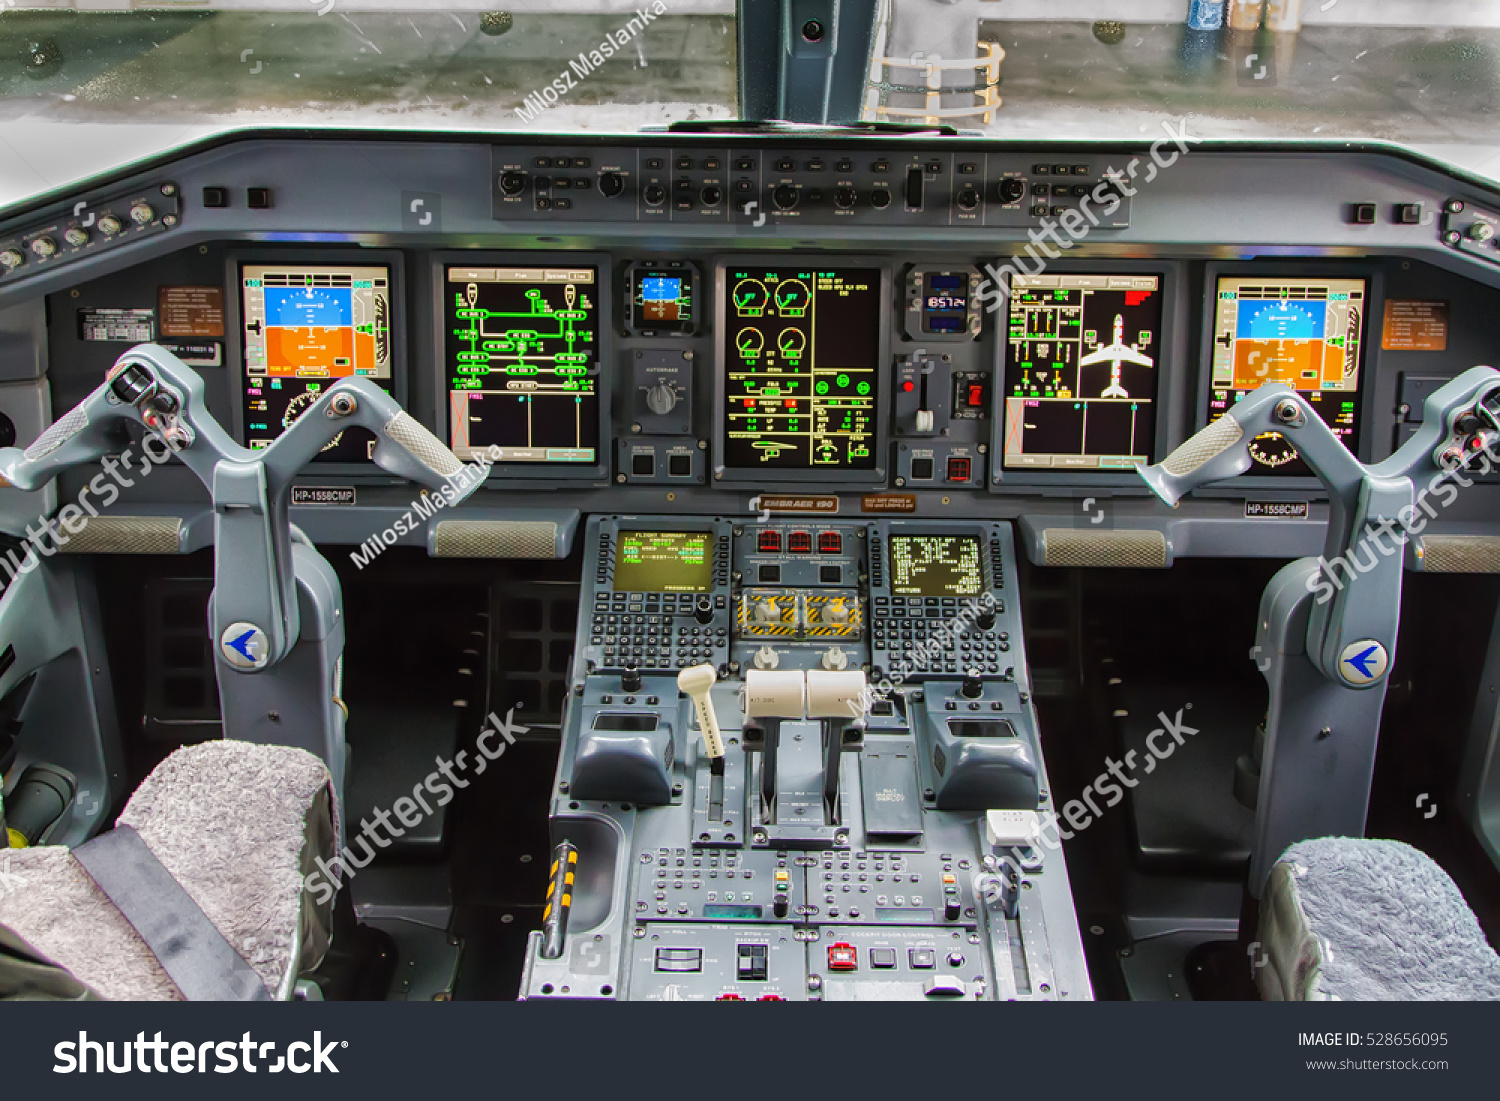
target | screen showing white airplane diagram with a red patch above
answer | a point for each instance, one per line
(1082, 365)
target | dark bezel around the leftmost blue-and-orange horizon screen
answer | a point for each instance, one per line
(236, 260)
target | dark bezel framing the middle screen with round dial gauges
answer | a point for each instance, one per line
(838, 479)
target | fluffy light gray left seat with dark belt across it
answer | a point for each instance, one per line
(208, 890)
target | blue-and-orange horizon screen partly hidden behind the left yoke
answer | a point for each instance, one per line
(307, 326)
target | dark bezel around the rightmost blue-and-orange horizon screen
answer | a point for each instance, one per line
(1369, 367)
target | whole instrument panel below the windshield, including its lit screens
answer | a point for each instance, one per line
(851, 326)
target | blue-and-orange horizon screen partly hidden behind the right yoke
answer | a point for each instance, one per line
(1307, 334)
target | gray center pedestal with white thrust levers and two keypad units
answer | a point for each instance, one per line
(863, 818)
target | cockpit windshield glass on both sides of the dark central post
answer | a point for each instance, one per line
(85, 92)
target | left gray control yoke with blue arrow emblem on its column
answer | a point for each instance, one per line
(251, 490)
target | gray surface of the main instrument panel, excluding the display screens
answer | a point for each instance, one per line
(1273, 206)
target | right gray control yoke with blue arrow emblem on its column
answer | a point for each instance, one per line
(1369, 505)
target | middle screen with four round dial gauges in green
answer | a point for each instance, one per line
(802, 352)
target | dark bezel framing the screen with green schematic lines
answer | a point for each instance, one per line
(530, 472)
